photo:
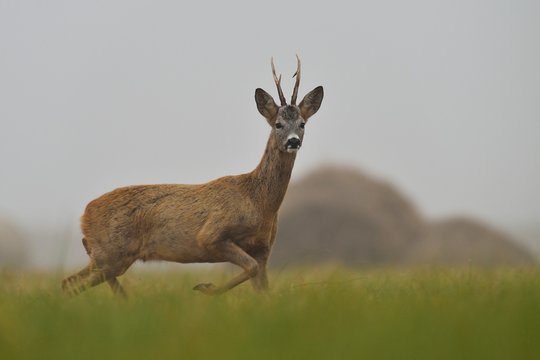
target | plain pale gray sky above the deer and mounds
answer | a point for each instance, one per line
(440, 97)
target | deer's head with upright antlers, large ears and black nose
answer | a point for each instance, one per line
(288, 121)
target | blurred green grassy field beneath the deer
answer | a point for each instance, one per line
(326, 313)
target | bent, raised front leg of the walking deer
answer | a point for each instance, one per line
(233, 254)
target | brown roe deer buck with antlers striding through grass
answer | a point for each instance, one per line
(230, 219)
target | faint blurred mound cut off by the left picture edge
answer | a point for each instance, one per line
(13, 249)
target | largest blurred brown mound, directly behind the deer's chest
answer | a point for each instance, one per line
(337, 214)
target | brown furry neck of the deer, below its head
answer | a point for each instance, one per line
(270, 179)
